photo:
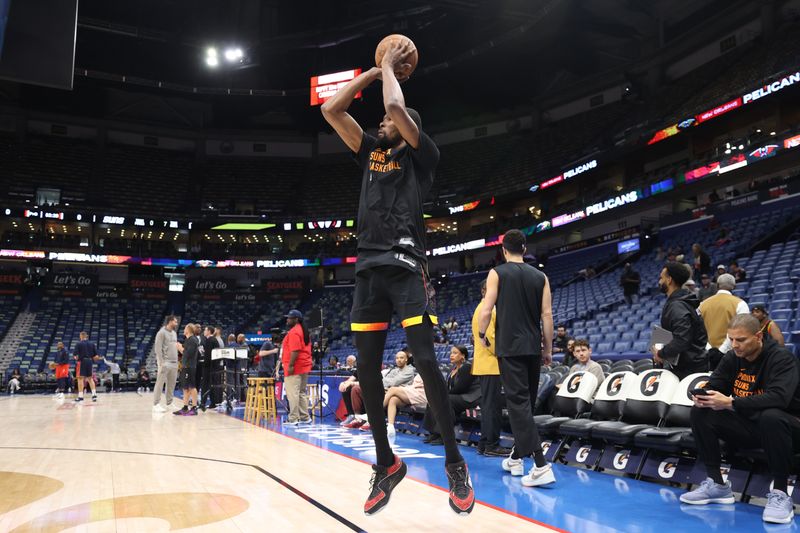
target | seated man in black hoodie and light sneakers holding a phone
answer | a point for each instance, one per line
(752, 400)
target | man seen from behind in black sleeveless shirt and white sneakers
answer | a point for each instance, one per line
(524, 338)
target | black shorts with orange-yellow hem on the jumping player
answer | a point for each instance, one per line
(380, 290)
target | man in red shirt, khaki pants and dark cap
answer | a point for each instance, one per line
(296, 360)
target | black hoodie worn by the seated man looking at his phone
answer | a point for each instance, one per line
(778, 378)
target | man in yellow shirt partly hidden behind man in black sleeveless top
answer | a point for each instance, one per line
(486, 367)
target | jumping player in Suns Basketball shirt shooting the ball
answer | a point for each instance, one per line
(398, 168)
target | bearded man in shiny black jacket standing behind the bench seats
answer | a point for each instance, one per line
(686, 353)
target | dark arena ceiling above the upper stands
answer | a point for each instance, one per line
(476, 55)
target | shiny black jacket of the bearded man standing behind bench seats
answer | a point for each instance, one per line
(689, 338)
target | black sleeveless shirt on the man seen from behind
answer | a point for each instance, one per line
(519, 310)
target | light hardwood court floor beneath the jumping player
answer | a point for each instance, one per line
(115, 466)
